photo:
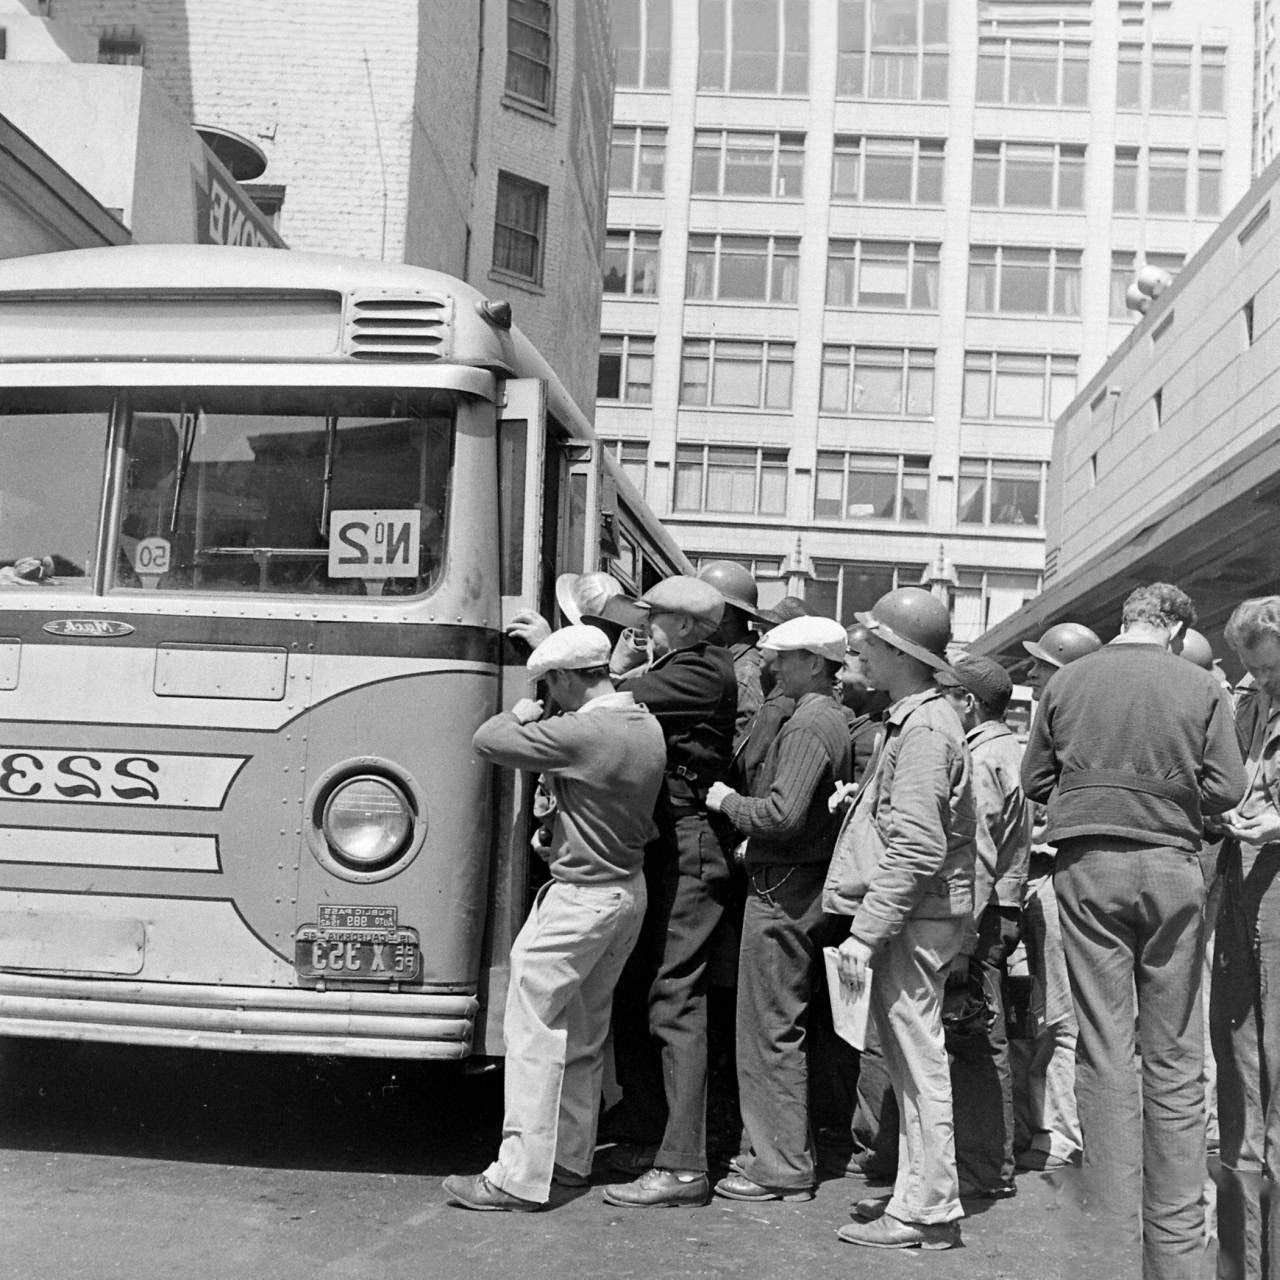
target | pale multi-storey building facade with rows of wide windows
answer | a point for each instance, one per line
(863, 253)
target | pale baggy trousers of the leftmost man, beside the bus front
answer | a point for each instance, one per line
(565, 966)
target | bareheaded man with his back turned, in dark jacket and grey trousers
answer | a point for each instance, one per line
(1130, 749)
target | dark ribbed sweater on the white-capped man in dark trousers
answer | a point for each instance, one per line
(787, 820)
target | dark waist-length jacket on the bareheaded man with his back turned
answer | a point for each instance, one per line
(1133, 743)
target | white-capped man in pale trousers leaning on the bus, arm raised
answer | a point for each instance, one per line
(604, 761)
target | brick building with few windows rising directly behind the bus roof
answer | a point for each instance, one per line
(467, 138)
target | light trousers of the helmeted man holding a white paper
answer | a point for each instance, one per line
(908, 977)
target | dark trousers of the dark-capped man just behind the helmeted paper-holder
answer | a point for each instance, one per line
(982, 1085)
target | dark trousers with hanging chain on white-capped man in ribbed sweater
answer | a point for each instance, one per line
(783, 930)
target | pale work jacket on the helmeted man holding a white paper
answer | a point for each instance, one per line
(907, 848)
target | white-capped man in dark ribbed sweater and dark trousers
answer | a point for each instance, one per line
(790, 835)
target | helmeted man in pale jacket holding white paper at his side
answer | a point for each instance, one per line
(904, 872)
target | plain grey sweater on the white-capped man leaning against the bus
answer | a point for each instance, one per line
(604, 766)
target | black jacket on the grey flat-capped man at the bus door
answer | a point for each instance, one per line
(694, 694)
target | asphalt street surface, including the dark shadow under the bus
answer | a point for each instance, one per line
(118, 1164)
